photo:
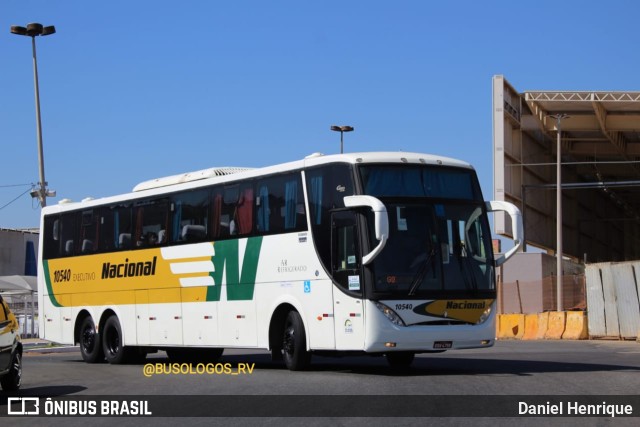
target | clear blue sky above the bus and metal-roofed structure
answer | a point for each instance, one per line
(133, 90)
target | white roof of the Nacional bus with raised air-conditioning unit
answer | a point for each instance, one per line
(223, 174)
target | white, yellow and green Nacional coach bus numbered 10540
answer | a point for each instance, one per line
(365, 253)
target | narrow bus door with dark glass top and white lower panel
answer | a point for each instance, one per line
(346, 268)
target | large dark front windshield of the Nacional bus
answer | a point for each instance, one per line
(439, 240)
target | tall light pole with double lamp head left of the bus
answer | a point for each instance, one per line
(32, 30)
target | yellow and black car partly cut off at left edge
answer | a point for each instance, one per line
(10, 349)
